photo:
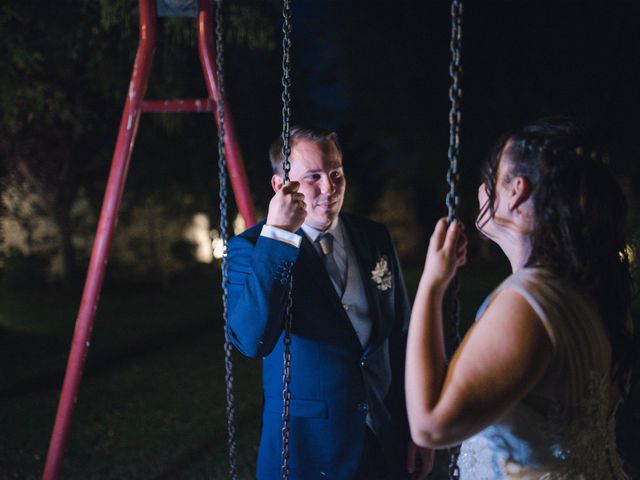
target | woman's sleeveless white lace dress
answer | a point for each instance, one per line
(563, 428)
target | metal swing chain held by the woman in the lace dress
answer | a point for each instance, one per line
(455, 118)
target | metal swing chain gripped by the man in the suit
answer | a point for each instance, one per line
(286, 167)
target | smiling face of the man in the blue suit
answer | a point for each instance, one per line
(318, 168)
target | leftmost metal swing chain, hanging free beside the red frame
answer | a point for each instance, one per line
(224, 236)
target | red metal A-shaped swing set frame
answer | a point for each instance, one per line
(134, 106)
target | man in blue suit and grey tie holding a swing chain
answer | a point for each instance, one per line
(349, 317)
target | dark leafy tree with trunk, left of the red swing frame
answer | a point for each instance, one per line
(56, 92)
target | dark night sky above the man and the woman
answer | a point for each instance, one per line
(378, 73)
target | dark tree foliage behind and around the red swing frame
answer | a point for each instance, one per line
(63, 81)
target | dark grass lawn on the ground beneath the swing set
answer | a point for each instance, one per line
(151, 405)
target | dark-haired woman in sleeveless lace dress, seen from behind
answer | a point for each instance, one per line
(533, 388)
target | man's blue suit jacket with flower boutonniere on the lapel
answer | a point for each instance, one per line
(334, 381)
